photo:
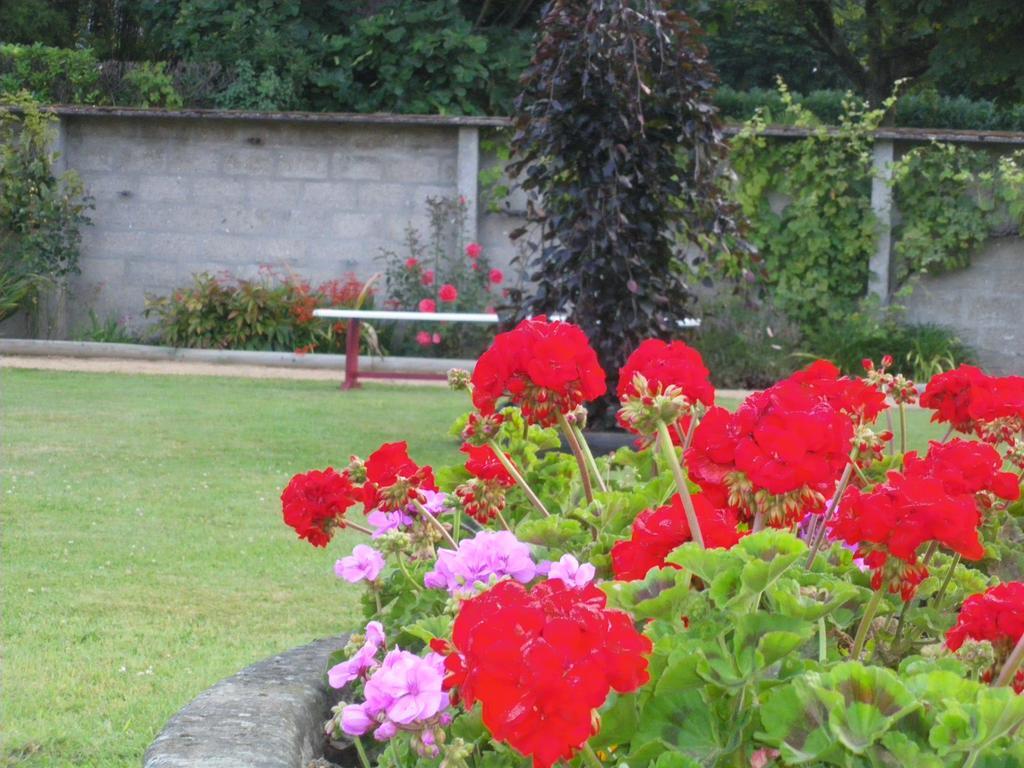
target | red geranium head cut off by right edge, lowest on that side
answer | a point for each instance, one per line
(996, 616)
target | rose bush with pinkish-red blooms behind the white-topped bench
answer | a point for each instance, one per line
(444, 259)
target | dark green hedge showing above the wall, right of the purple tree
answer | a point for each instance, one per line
(925, 110)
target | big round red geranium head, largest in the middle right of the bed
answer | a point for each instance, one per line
(781, 454)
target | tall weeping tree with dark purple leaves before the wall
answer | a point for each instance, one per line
(616, 133)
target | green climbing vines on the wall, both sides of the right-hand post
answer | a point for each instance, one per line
(807, 202)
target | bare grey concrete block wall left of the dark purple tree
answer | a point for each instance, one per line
(178, 196)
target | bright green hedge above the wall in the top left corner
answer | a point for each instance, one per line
(53, 76)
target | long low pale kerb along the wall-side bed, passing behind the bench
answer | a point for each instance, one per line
(88, 350)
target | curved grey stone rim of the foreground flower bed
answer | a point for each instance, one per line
(270, 715)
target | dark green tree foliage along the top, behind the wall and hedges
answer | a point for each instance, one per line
(466, 56)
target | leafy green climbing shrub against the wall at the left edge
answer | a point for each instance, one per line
(41, 215)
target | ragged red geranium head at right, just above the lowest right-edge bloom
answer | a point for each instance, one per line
(890, 524)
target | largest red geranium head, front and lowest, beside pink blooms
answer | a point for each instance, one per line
(541, 662)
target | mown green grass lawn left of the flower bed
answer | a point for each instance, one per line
(144, 557)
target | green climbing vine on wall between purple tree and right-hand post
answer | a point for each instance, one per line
(808, 204)
